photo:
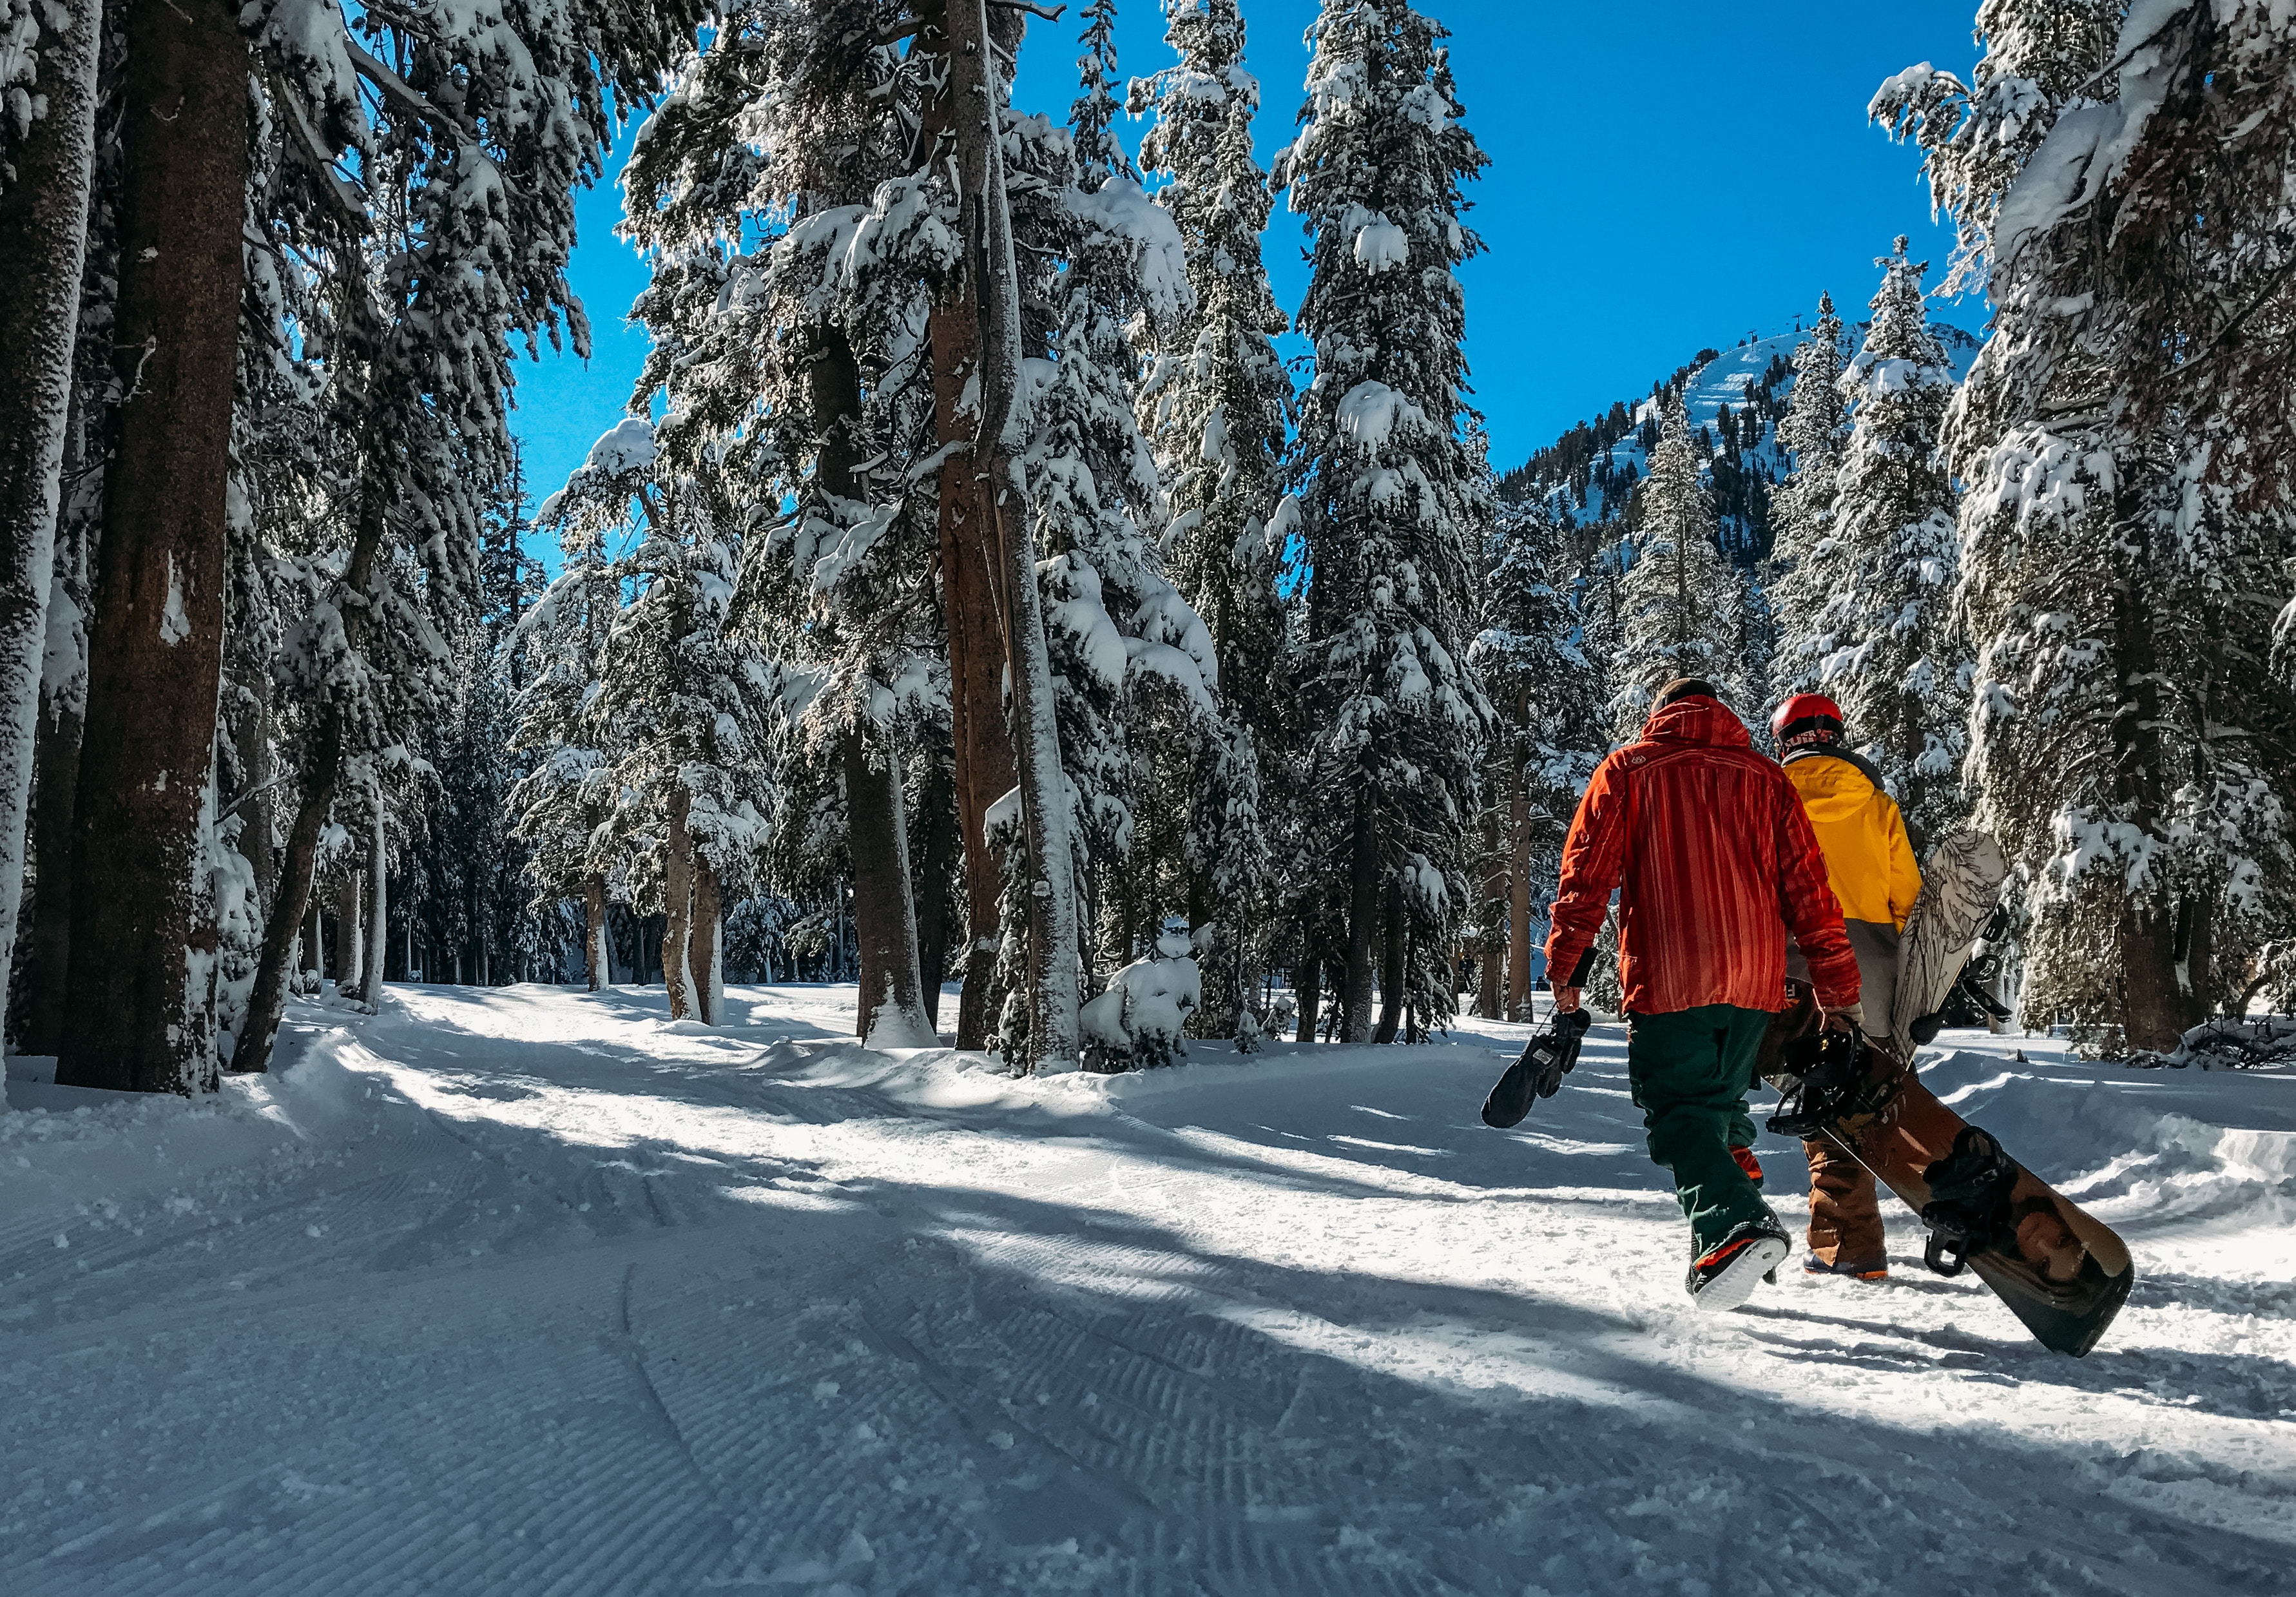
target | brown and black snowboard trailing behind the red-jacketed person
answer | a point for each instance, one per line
(2058, 1270)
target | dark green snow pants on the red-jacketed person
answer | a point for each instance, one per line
(1691, 1072)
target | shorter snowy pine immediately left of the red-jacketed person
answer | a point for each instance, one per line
(1549, 695)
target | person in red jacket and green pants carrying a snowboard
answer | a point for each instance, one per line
(1714, 863)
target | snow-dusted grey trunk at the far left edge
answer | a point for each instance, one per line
(42, 249)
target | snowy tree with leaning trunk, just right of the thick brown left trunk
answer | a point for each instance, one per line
(433, 157)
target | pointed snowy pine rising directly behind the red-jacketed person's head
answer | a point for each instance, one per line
(1680, 601)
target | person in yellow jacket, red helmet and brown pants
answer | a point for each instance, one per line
(1872, 872)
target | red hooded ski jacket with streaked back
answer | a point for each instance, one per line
(1716, 863)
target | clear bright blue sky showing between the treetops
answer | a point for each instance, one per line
(1663, 176)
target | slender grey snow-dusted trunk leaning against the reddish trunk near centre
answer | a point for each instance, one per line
(1055, 1035)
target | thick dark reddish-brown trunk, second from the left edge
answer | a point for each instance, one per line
(139, 927)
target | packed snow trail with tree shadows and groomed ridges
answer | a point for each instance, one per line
(532, 1293)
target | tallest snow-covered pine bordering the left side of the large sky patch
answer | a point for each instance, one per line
(1395, 500)
